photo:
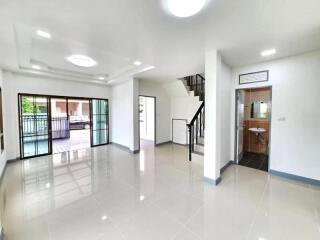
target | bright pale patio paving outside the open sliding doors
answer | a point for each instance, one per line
(79, 139)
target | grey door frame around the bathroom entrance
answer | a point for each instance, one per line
(236, 160)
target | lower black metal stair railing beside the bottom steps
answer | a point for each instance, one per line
(196, 129)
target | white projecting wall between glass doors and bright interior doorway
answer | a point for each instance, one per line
(125, 118)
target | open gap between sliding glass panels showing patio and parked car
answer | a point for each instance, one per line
(70, 123)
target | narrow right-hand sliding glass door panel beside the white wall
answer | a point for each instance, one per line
(99, 122)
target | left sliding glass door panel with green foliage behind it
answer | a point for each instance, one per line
(35, 130)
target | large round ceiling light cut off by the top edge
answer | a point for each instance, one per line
(185, 8)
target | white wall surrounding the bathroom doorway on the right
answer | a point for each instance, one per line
(295, 130)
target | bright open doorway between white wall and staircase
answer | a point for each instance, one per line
(147, 120)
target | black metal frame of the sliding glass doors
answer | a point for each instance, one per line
(50, 117)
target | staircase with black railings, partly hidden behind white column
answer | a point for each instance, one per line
(196, 83)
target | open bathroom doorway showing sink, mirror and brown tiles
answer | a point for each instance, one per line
(253, 122)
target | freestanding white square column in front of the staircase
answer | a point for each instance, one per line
(212, 109)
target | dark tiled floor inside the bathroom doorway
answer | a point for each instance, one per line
(255, 160)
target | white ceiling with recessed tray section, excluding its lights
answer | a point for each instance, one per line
(118, 32)
